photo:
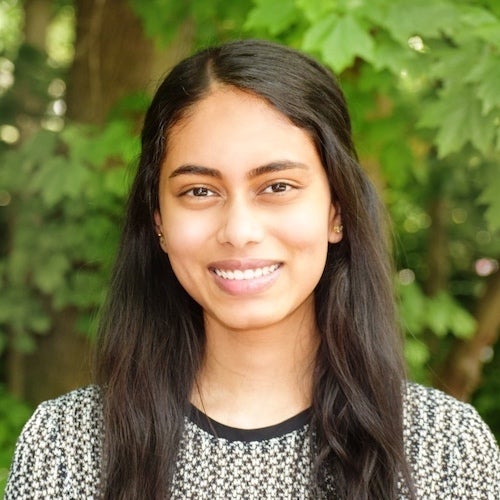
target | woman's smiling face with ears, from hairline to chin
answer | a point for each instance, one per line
(245, 211)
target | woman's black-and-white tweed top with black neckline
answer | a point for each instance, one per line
(452, 453)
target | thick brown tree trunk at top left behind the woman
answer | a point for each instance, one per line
(112, 59)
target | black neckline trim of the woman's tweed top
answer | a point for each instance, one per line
(219, 430)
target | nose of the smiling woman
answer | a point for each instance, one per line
(240, 224)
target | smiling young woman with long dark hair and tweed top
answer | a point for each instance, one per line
(249, 346)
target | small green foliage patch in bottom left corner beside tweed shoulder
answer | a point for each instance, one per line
(13, 415)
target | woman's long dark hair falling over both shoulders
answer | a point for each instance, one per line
(151, 335)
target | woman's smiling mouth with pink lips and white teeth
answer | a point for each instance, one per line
(223, 273)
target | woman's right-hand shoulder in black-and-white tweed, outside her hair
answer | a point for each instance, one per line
(449, 447)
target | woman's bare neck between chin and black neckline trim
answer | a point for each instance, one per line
(252, 379)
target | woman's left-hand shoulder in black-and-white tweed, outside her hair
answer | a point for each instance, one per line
(59, 450)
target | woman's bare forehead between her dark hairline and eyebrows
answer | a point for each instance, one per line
(240, 124)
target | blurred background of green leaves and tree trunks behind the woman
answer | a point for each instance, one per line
(422, 82)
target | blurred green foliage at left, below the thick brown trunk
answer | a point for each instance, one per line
(68, 194)
